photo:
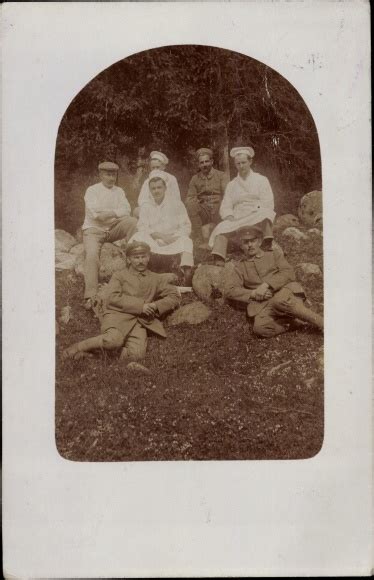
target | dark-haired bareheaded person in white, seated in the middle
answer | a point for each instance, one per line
(164, 223)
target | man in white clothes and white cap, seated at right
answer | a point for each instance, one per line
(248, 201)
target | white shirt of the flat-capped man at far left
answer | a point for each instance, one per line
(100, 198)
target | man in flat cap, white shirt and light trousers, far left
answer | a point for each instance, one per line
(107, 219)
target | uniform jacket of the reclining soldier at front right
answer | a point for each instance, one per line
(270, 267)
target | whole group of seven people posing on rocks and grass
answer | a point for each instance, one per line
(137, 298)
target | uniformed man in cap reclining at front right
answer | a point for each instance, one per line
(265, 282)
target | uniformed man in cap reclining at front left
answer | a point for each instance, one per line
(135, 299)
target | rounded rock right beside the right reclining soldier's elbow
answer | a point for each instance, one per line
(209, 281)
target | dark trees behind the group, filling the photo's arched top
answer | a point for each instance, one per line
(177, 99)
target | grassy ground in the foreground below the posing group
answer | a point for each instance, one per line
(215, 390)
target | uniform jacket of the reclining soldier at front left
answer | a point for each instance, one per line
(128, 291)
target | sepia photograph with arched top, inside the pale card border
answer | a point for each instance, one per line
(188, 263)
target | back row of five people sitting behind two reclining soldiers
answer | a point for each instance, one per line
(163, 221)
